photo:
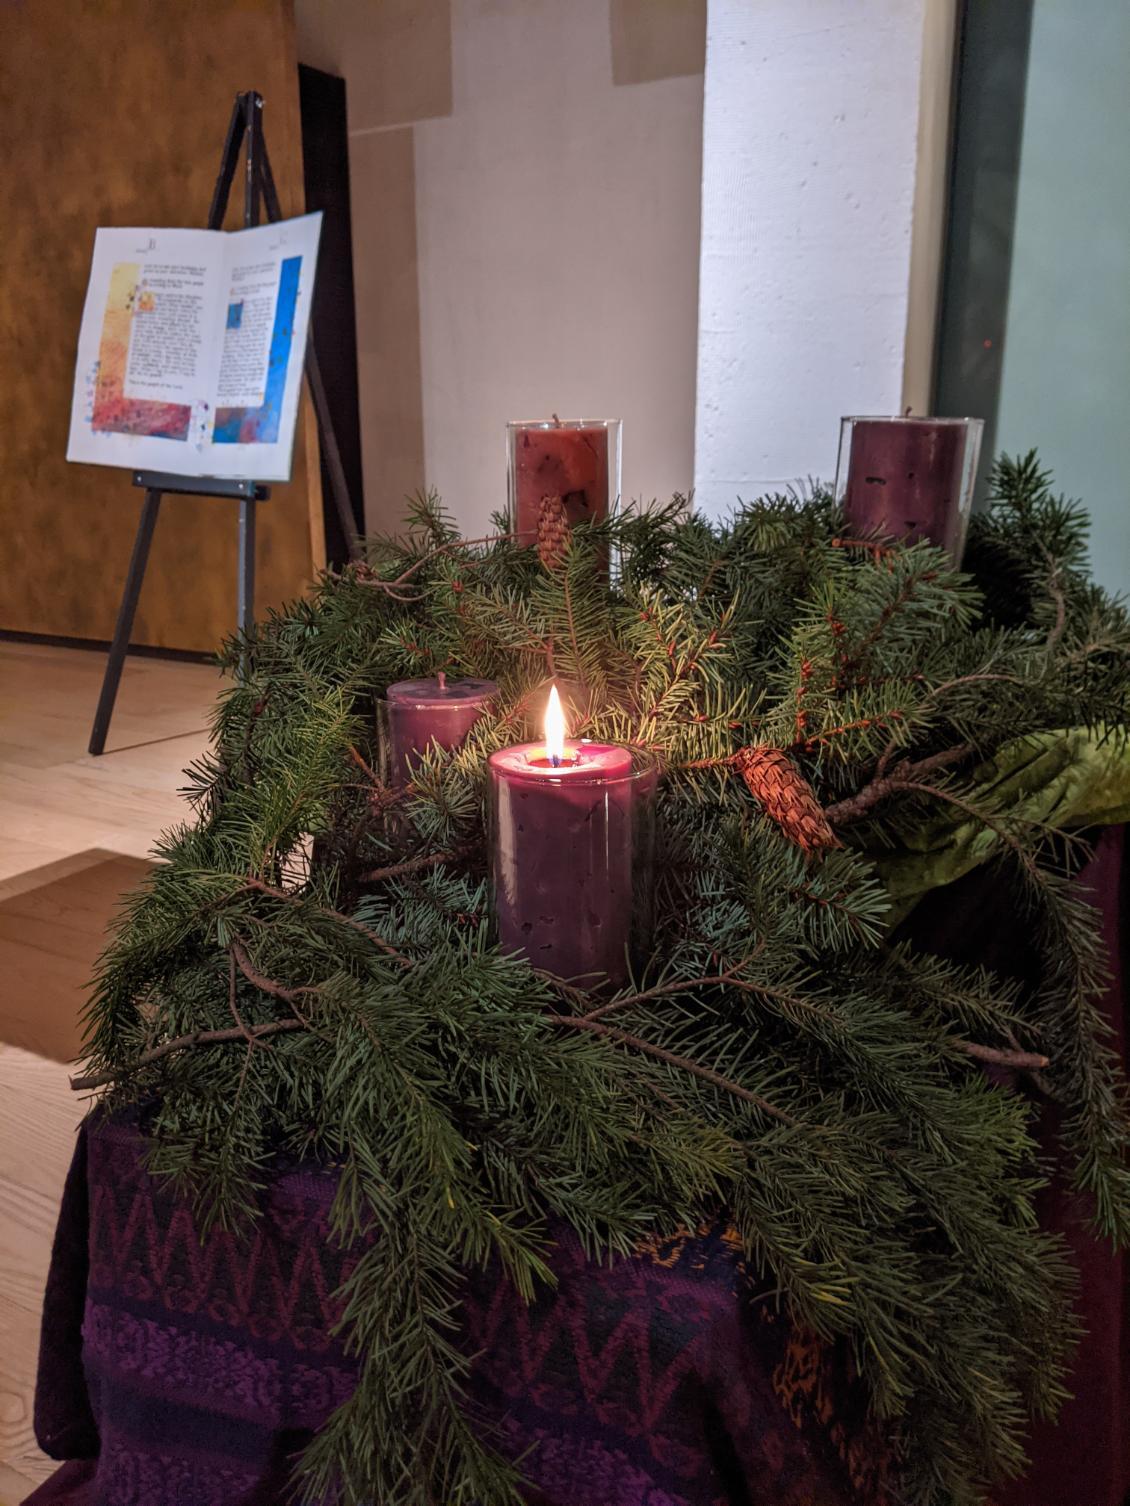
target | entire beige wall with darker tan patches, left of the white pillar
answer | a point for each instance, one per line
(527, 236)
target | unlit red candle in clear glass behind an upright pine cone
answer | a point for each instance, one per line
(576, 462)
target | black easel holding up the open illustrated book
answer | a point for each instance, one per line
(258, 192)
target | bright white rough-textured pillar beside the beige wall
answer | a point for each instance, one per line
(810, 165)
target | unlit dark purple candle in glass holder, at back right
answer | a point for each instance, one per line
(909, 478)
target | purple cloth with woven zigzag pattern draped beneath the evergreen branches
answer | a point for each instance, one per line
(177, 1373)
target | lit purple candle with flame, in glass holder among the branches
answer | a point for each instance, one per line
(570, 852)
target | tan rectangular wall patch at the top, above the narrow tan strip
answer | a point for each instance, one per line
(394, 56)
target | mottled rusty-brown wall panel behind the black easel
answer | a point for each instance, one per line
(115, 114)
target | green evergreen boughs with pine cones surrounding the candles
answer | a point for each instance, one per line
(310, 966)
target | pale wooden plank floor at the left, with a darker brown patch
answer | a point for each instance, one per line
(66, 814)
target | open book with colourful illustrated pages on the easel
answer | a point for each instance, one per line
(191, 355)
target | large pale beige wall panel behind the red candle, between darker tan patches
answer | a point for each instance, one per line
(558, 240)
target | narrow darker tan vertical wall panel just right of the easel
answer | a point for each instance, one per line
(386, 288)
